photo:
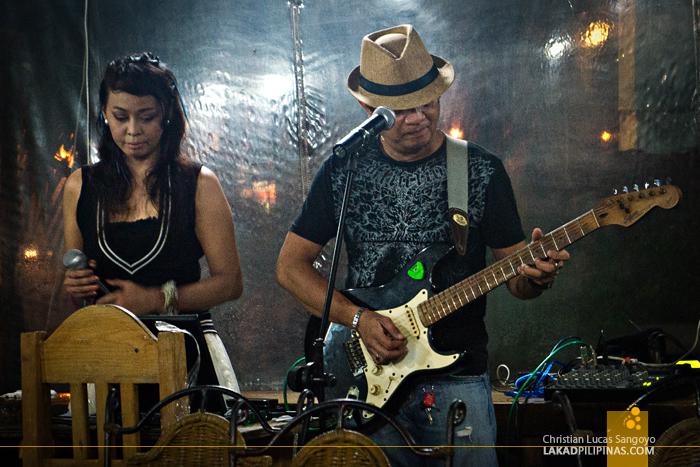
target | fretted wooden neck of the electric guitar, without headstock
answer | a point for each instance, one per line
(444, 303)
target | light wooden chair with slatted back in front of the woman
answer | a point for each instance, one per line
(108, 346)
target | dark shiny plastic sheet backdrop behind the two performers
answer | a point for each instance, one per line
(538, 82)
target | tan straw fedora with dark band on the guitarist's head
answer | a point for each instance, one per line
(397, 71)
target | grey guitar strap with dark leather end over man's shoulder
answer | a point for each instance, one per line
(458, 191)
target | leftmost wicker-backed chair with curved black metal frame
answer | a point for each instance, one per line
(199, 439)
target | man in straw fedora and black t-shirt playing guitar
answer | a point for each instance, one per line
(399, 206)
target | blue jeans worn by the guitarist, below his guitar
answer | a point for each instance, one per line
(475, 438)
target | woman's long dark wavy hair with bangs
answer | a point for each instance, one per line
(141, 75)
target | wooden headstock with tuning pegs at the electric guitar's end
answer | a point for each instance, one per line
(628, 207)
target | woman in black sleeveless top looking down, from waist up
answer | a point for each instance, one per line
(144, 214)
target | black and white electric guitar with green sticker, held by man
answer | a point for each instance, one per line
(412, 303)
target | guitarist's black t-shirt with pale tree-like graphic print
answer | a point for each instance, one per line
(396, 209)
